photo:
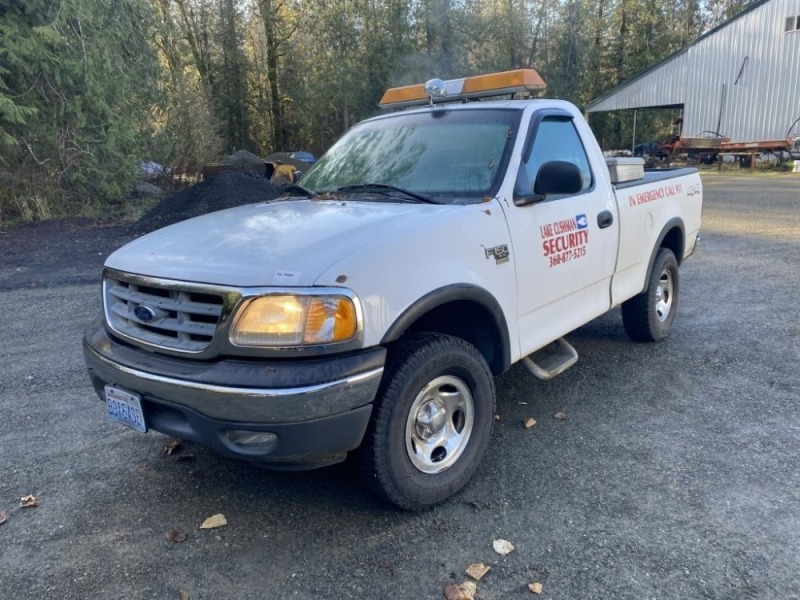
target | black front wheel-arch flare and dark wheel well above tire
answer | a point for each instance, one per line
(454, 310)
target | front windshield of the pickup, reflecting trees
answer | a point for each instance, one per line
(457, 153)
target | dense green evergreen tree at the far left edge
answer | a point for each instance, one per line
(77, 83)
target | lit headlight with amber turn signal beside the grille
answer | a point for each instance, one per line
(289, 320)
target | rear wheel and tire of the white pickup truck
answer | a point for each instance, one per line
(648, 317)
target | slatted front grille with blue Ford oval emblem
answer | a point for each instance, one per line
(167, 317)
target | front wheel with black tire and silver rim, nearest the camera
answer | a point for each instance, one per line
(432, 420)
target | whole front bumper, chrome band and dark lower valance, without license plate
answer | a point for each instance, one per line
(318, 408)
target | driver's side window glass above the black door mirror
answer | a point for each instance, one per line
(556, 139)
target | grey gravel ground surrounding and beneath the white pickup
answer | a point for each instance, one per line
(674, 475)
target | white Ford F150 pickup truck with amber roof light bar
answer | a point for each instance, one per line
(370, 307)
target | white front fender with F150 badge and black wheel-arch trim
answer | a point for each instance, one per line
(461, 255)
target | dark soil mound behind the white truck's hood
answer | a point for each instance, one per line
(226, 190)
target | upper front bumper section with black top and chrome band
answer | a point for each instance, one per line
(209, 388)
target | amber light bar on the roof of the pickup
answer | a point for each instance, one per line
(479, 86)
